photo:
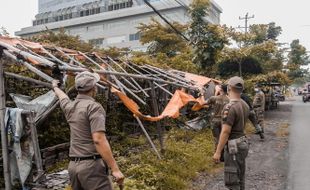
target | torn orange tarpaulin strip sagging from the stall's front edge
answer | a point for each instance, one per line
(179, 100)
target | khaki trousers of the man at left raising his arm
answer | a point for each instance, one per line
(89, 175)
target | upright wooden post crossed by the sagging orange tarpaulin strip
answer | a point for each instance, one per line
(156, 112)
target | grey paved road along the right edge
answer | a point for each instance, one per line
(299, 146)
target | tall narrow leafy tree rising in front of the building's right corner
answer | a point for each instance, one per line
(207, 39)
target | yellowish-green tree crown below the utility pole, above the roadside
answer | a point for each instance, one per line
(260, 43)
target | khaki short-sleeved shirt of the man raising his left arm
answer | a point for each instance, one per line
(85, 116)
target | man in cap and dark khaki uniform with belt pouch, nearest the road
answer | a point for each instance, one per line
(232, 138)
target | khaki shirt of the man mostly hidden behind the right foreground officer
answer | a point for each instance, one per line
(217, 103)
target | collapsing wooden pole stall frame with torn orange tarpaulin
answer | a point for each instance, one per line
(164, 91)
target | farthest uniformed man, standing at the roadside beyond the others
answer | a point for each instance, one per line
(259, 105)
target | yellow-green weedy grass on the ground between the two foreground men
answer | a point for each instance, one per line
(187, 153)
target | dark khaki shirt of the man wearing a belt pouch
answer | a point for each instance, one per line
(235, 114)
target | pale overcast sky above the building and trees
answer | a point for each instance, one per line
(292, 16)
